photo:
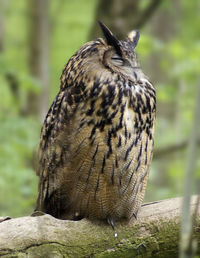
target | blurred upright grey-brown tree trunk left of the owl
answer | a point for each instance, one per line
(38, 55)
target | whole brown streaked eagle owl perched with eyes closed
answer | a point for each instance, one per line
(97, 139)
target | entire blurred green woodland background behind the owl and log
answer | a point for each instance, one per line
(37, 37)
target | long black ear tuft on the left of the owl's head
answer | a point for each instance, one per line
(110, 38)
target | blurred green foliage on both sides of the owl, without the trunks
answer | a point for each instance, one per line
(70, 22)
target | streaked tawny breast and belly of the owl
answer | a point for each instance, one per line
(109, 158)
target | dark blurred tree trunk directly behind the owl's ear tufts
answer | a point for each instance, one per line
(122, 16)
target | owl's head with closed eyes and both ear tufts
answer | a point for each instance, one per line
(104, 58)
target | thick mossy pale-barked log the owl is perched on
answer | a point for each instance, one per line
(154, 234)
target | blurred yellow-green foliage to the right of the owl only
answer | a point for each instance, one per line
(180, 64)
